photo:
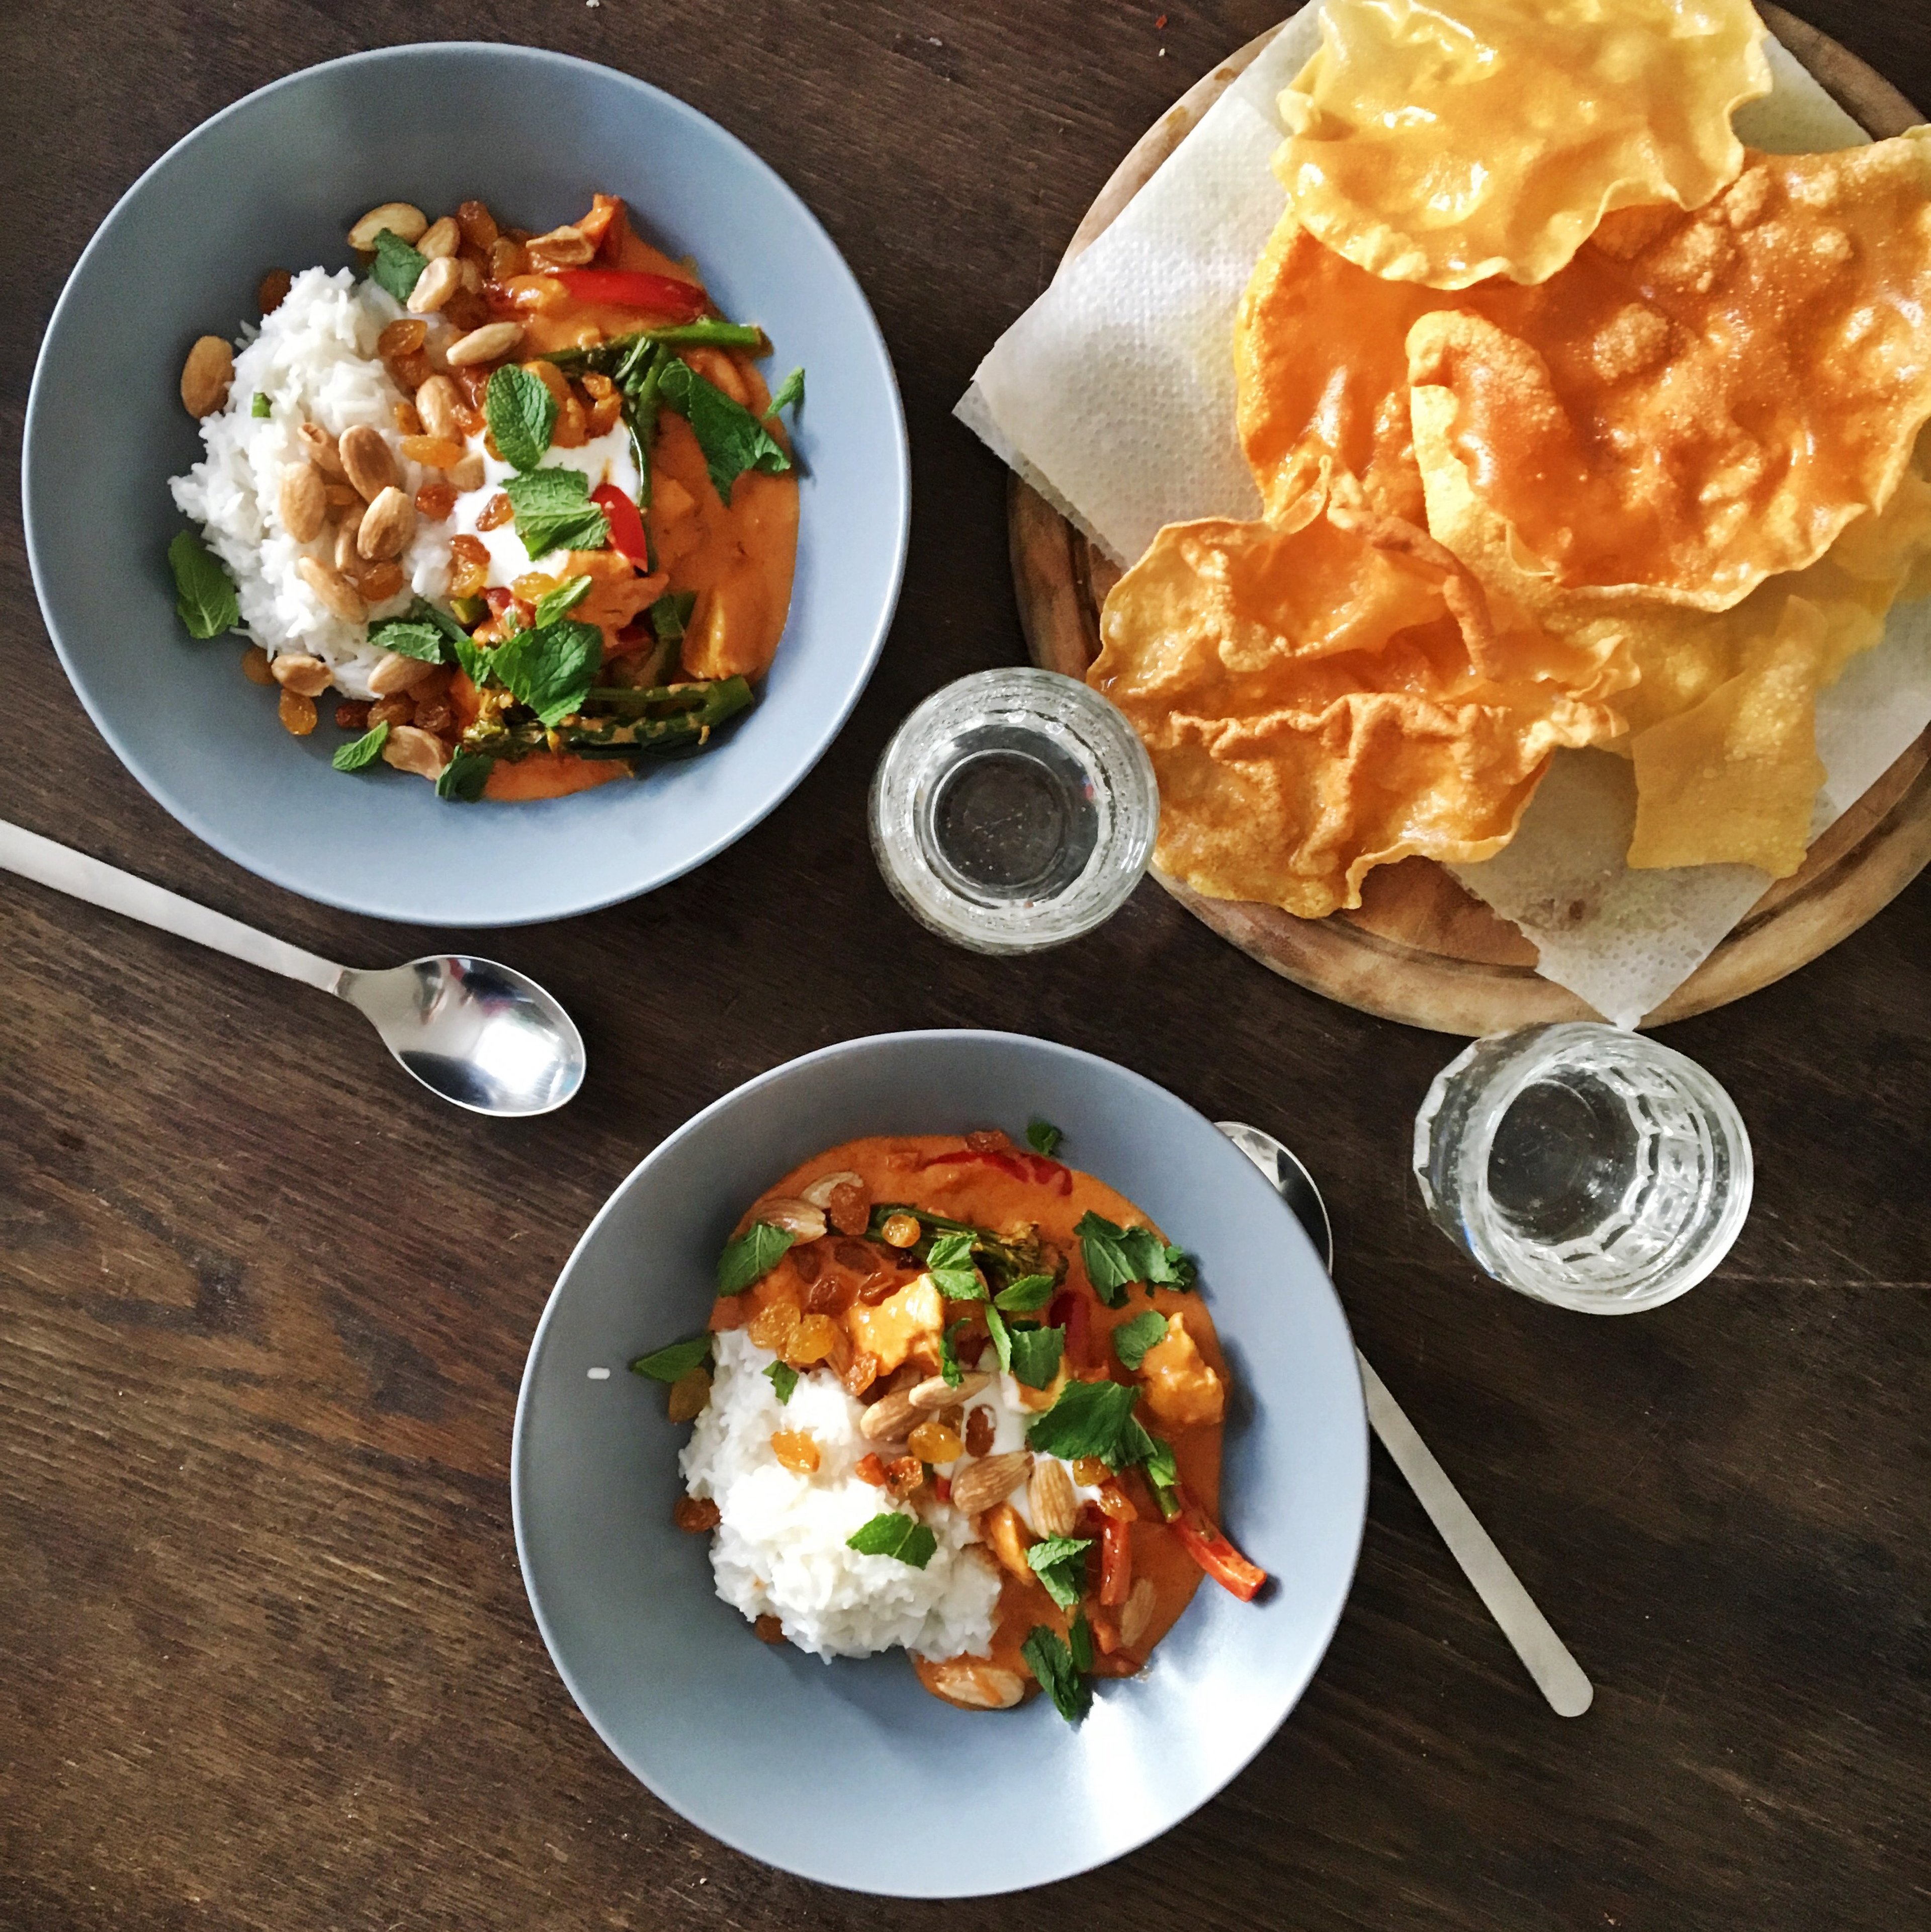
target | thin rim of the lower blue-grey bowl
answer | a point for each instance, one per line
(1358, 1508)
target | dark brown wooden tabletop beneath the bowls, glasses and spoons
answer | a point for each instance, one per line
(264, 1307)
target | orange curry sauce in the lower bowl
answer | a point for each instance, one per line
(880, 1348)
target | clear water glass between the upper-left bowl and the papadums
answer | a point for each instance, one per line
(1015, 810)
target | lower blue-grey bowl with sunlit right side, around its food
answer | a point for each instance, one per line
(849, 1773)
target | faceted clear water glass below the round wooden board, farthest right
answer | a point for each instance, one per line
(1584, 1166)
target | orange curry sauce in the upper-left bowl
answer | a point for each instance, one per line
(737, 557)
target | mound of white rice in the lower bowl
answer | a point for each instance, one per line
(781, 1547)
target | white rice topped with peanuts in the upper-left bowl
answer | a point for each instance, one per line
(316, 360)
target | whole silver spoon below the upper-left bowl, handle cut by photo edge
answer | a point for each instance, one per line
(476, 1033)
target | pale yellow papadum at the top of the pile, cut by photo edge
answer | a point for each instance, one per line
(1445, 142)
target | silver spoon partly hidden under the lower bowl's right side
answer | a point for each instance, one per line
(1544, 1655)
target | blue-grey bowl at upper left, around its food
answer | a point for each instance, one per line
(275, 183)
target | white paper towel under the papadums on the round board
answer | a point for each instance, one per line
(1115, 399)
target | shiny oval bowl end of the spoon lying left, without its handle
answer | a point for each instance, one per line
(482, 1037)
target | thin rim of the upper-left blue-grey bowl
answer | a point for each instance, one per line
(196, 822)
